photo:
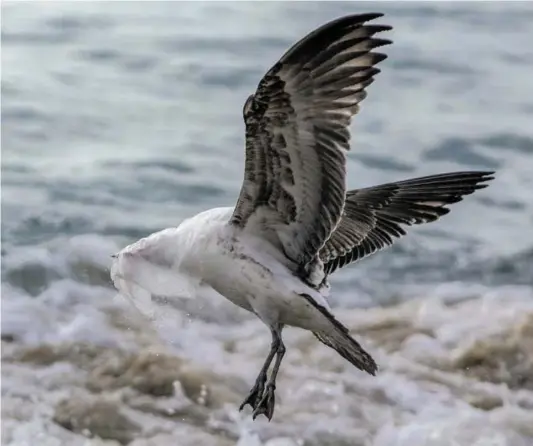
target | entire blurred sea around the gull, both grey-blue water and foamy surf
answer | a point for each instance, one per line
(122, 118)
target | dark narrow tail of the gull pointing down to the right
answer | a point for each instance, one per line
(336, 336)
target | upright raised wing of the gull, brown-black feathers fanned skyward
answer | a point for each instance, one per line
(297, 135)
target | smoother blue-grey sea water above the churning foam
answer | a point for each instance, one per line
(119, 119)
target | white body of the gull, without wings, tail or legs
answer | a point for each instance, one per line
(243, 268)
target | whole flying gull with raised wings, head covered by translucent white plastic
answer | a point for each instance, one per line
(295, 223)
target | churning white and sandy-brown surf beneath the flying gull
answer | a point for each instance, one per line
(448, 366)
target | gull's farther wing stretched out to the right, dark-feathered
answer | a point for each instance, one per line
(373, 217)
